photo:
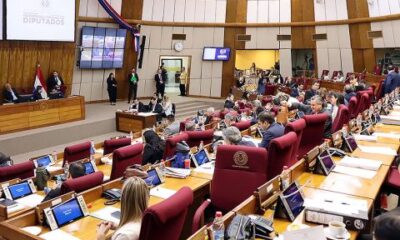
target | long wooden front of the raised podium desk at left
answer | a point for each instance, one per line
(22, 116)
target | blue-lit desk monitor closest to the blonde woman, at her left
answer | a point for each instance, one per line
(67, 212)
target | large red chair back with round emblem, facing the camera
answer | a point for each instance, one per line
(243, 167)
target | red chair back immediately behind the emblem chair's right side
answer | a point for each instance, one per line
(280, 154)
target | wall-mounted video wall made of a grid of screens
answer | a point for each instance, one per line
(102, 48)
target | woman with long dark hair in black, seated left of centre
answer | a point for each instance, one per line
(154, 147)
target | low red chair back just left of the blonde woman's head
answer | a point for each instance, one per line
(83, 183)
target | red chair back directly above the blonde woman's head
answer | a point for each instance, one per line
(125, 157)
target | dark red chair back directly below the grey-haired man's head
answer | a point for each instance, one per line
(313, 133)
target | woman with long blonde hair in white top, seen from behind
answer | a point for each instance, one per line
(134, 200)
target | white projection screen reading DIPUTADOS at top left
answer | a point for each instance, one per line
(41, 20)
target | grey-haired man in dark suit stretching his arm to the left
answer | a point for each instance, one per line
(316, 107)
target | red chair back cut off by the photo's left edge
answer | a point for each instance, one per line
(20, 170)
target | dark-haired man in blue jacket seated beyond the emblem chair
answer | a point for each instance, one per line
(269, 128)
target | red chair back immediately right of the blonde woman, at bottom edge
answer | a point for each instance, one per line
(165, 220)
